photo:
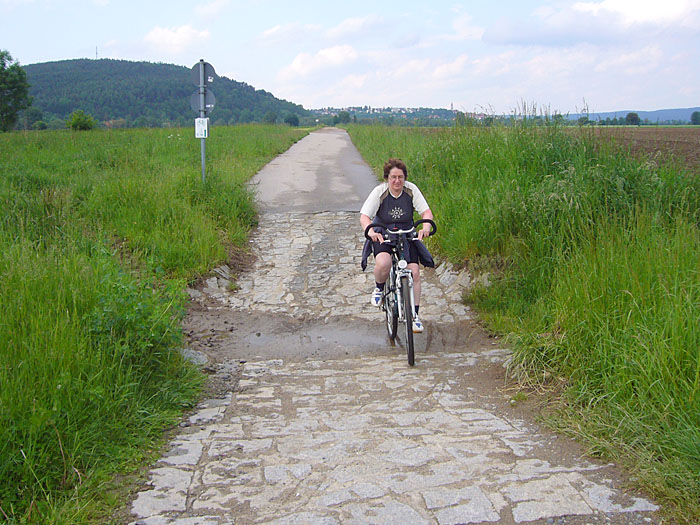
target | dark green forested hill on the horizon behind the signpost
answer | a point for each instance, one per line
(143, 93)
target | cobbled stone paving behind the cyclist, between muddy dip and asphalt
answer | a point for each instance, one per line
(311, 268)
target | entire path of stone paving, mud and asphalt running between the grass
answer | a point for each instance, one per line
(316, 418)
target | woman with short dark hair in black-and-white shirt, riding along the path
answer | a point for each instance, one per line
(393, 203)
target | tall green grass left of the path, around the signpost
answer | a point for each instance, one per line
(99, 233)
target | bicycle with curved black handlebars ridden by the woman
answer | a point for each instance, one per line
(398, 302)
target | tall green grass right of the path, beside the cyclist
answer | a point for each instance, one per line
(593, 257)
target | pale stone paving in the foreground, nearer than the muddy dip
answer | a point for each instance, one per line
(367, 441)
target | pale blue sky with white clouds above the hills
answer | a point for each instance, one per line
(474, 56)
